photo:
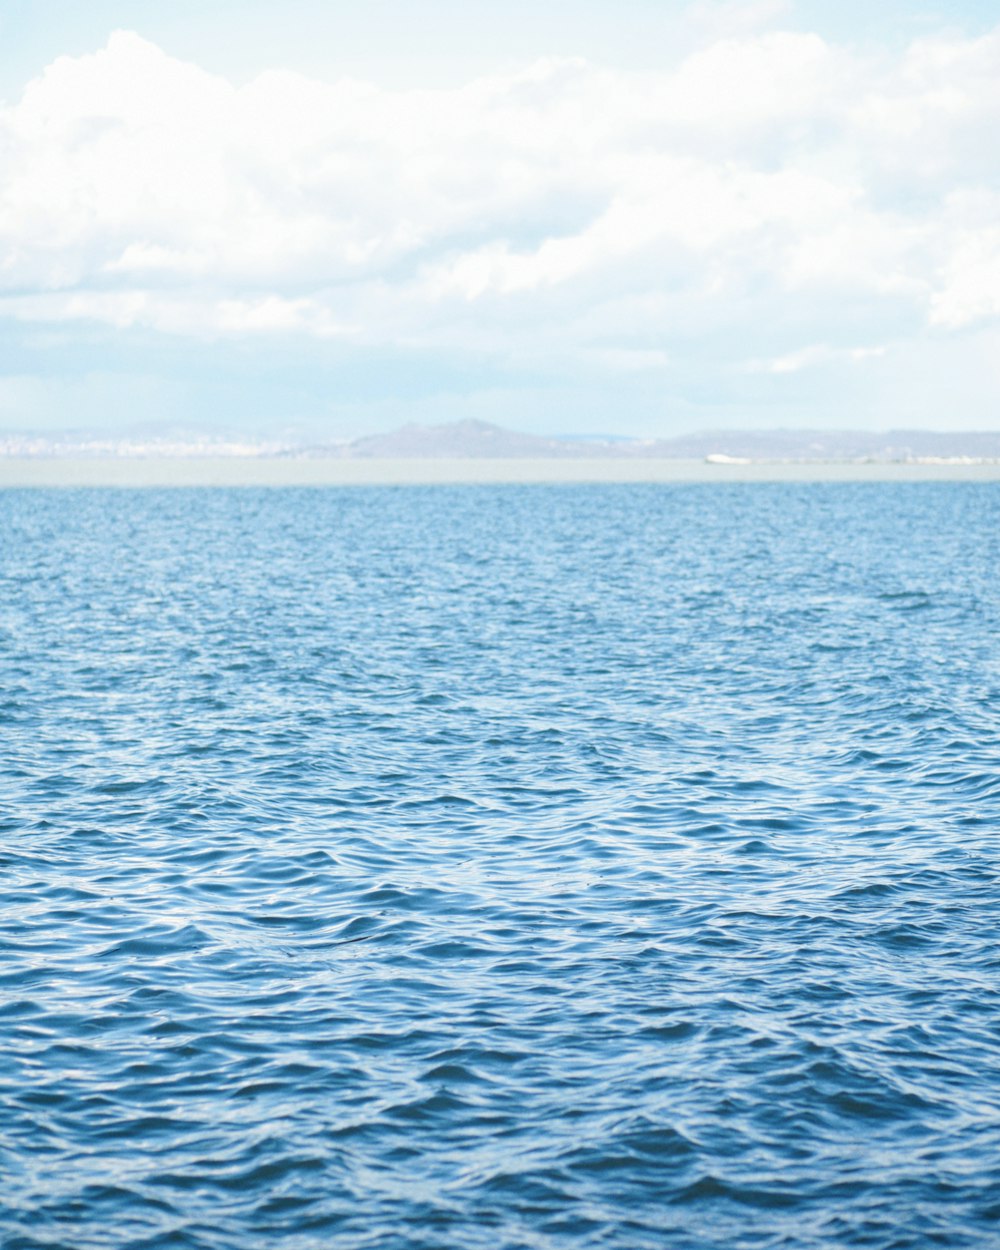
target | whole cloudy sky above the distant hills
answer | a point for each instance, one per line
(321, 219)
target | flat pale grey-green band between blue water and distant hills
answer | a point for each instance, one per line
(139, 472)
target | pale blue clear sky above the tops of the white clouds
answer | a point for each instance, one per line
(432, 42)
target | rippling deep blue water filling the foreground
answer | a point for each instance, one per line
(607, 867)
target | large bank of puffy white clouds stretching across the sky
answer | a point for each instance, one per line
(769, 193)
